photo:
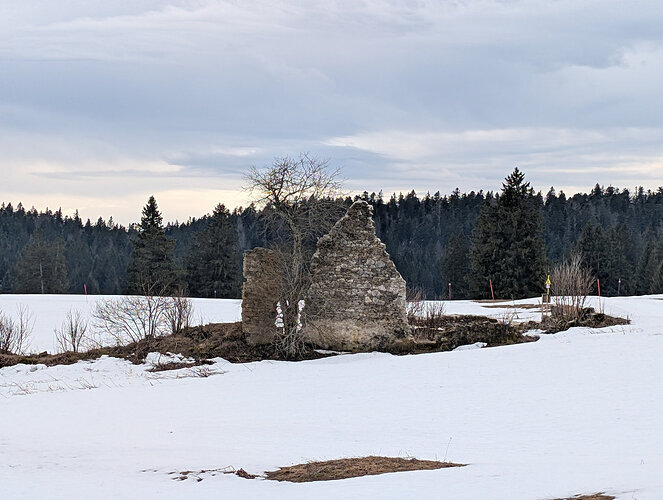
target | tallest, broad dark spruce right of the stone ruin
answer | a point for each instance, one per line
(507, 243)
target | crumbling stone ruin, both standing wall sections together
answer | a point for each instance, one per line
(356, 301)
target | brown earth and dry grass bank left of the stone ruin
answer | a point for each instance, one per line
(201, 343)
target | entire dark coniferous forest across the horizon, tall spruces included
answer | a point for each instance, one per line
(443, 245)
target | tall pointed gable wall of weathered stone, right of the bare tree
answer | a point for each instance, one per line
(357, 297)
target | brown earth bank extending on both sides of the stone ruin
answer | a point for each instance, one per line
(432, 333)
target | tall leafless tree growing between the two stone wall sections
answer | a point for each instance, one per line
(299, 198)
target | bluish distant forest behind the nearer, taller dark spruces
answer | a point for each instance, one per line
(419, 233)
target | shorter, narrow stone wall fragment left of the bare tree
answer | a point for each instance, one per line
(260, 295)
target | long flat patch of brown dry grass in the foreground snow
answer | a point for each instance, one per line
(353, 467)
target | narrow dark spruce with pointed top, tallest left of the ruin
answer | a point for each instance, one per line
(152, 269)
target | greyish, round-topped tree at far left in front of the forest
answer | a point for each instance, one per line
(42, 267)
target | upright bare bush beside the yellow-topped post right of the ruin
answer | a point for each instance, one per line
(571, 284)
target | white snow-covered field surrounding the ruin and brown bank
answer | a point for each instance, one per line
(576, 412)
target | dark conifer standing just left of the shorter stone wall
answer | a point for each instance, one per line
(213, 261)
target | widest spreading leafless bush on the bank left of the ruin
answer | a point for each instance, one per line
(132, 318)
